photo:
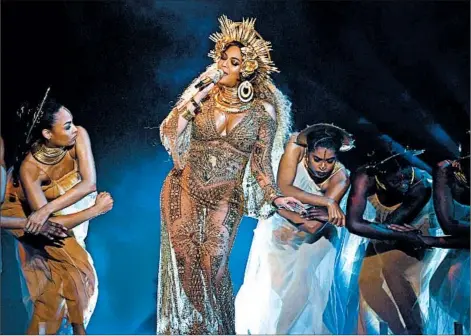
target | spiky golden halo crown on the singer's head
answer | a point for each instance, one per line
(255, 53)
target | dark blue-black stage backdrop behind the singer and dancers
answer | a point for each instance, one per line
(382, 70)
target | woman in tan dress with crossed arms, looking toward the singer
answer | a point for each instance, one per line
(60, 278)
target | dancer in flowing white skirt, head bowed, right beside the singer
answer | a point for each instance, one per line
(288, 285)
